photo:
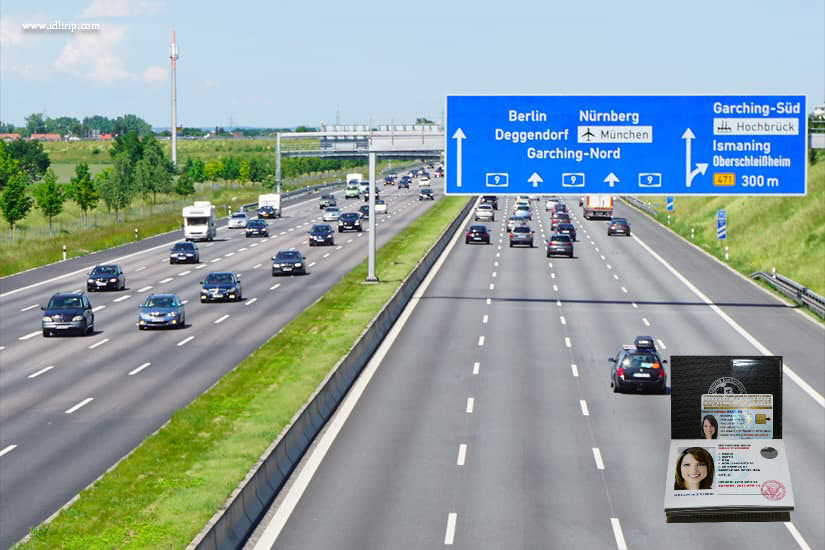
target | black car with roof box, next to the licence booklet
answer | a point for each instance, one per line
(638, 367)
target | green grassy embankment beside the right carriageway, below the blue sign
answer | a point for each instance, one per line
(787, 233)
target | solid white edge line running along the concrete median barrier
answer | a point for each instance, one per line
(294, 492)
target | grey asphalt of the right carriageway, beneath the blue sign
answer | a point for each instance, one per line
(490, 422)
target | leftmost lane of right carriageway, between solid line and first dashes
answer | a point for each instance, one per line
(394, 467)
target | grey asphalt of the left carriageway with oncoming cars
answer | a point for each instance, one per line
(71, 407)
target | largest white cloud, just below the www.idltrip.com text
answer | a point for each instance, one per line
(92, 56)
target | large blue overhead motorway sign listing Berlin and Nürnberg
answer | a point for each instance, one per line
(631, 145)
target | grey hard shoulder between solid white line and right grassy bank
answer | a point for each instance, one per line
(766, 318)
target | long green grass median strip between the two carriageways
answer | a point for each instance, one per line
(163, 494)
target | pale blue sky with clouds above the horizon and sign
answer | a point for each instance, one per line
(288, 62)
